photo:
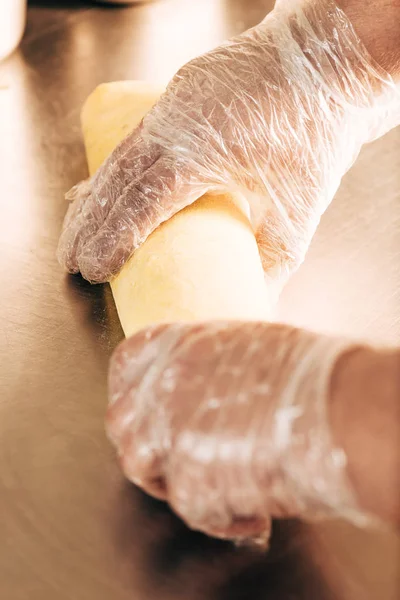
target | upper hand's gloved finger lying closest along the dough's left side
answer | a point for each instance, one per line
(146, 202)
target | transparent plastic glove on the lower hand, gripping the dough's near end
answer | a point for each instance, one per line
(230, 423)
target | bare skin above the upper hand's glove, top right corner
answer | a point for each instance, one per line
(377, 23)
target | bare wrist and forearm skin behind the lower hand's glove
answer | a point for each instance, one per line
(365, 416)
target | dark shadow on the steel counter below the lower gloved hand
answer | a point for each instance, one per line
(177, 562)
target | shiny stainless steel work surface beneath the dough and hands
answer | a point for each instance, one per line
(70, 526)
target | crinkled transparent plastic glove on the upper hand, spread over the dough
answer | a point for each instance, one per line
(277, 114)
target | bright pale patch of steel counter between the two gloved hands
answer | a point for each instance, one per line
(349, 283)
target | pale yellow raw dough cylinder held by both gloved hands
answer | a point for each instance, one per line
(203, 264)
